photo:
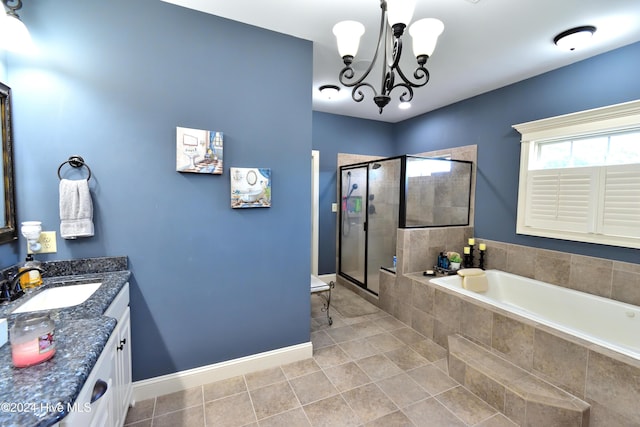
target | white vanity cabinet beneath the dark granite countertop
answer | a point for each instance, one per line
(112, 369)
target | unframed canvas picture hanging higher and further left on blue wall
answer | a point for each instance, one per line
(199, 151)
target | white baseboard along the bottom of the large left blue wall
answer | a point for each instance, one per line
(165, 384)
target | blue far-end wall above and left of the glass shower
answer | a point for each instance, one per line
(333, 134)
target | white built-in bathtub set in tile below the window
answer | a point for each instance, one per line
(601, 321)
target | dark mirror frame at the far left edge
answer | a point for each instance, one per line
(8, 232)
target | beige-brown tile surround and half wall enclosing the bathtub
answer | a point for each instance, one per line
(611, 384)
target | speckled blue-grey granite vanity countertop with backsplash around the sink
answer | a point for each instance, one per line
(37, 392)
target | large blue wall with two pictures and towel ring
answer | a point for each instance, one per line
(111, 83)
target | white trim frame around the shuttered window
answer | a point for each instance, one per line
(606, 119)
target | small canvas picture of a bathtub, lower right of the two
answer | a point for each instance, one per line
(250, 188)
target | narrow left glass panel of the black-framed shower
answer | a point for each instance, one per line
(352, 247)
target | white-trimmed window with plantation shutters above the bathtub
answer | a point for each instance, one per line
(580, 176)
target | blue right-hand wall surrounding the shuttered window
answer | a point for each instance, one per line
(486, 120)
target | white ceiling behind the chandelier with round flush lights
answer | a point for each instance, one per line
(486, 44)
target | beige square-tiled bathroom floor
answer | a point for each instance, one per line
(367, 370)
